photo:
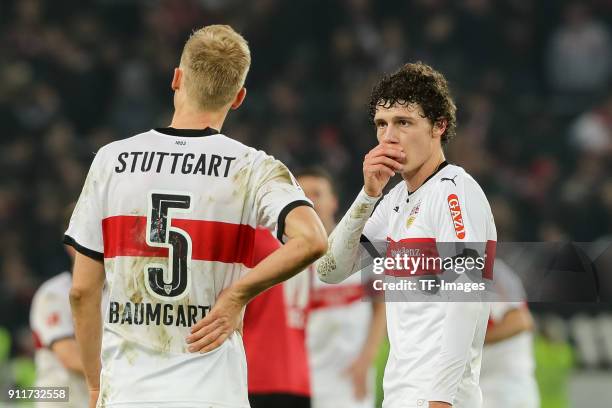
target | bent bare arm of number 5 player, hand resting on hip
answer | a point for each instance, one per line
(307, 241)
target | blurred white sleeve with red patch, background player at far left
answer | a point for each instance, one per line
(50, 317)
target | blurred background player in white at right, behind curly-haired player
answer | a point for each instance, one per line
(507, 374)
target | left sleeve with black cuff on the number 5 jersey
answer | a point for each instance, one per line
(85, 229)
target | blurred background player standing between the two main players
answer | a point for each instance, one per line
(344, 330)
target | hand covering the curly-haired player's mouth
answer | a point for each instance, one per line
(379, 165)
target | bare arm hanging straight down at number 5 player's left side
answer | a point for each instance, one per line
(85, 301)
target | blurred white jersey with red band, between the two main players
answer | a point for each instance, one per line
(338, 325)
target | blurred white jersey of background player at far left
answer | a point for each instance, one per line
(51, 321)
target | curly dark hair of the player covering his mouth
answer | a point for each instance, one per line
(420, 84)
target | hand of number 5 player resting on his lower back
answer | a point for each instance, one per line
(211, 331)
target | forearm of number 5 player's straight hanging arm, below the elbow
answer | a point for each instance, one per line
(88, 330)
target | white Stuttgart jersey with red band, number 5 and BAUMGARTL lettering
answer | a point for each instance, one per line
(173, 212)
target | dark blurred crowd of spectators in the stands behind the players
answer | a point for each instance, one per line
(532, 81)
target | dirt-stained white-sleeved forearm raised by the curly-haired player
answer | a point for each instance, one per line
(341, 261)
